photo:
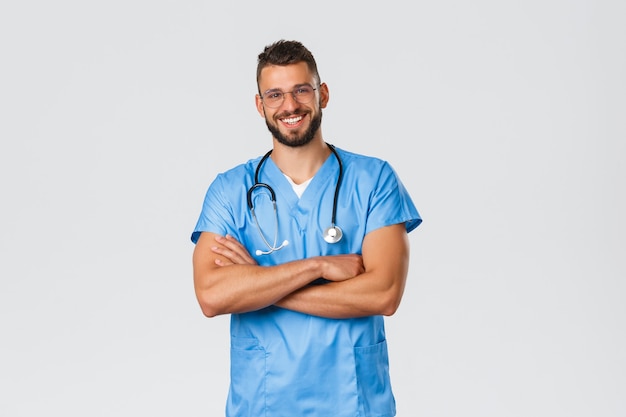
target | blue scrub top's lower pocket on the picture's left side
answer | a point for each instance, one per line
(247, 378)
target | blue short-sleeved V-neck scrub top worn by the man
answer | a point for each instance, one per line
(285, 363)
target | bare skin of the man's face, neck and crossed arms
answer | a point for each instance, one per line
(228, 280)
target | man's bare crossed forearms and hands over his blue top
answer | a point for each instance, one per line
(228, 280)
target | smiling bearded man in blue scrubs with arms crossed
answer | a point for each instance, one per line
(306, 248)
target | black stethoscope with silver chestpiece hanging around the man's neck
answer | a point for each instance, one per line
(332, 234)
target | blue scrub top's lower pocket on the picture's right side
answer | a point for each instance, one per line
(374, 385)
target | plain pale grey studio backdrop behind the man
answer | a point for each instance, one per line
(505, 120)
